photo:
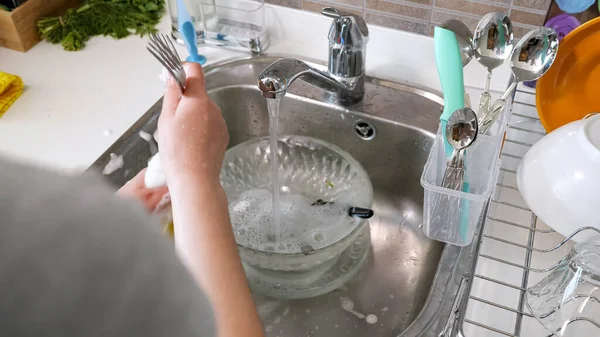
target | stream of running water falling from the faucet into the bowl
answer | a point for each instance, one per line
(273, 107)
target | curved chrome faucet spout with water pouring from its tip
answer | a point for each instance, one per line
(275, 80)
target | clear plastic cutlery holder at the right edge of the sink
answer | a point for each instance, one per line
(449, 215)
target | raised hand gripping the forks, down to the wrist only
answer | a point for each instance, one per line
(192, 135)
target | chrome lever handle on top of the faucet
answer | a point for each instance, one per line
(347, 28)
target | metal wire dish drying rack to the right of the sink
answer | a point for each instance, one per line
(511, 249)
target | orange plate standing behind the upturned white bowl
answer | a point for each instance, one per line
(571, 88)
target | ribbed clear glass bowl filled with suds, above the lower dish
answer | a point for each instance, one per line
(309, 170)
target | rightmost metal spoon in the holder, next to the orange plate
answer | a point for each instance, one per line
(533, 56)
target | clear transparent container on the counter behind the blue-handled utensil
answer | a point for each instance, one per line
(237, 24)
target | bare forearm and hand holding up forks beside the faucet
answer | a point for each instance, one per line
(192, 139)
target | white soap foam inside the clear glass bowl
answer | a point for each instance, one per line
(301, 224)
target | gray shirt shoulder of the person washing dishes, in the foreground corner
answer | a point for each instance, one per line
(76, 260)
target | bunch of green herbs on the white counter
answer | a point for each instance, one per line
(115, 18)
